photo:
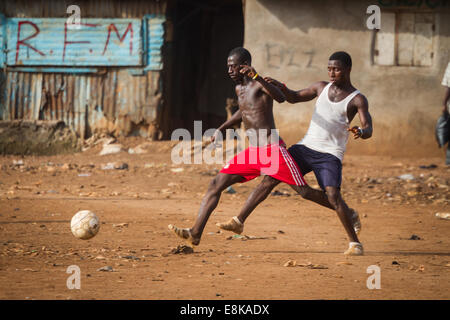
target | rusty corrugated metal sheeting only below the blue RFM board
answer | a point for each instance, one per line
(115, 102)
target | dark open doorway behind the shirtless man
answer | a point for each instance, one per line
(197, 83)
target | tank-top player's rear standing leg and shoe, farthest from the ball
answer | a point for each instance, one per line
(344, 214)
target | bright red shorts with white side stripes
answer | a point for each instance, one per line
(272, 160)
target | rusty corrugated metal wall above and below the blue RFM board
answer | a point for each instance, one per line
(112, 100)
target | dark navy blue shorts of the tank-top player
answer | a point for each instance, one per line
(326, 167)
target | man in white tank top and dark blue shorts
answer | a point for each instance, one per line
(322, 149)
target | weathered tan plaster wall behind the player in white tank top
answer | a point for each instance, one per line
(292, 40)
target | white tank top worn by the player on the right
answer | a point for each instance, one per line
(327, 131)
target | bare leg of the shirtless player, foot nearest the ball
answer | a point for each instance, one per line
(208, 204)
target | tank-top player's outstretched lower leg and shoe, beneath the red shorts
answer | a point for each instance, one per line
(258, 195)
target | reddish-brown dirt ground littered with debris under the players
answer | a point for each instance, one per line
(39, 196)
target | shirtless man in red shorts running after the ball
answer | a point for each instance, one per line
(255, 99)
